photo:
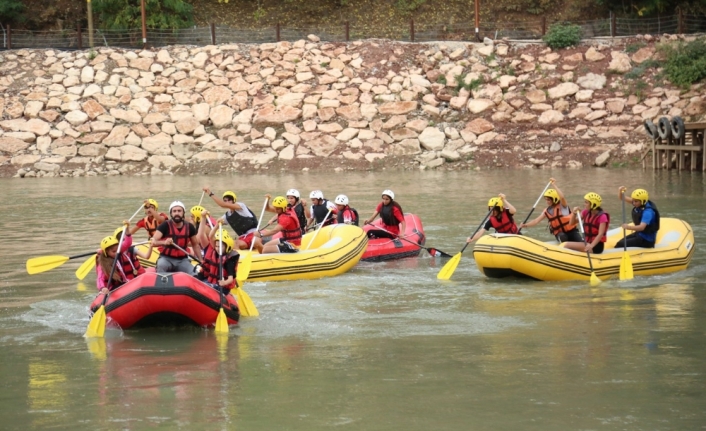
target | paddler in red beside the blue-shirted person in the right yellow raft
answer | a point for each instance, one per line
(595, 225)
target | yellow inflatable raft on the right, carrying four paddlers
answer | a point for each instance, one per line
(500, 255)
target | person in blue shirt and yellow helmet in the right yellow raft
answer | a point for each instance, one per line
(645, 219)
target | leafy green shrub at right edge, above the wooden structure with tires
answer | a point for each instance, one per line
(686, 62)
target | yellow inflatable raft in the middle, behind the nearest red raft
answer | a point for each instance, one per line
(335, 250)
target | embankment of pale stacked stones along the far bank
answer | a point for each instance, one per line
(313, 105)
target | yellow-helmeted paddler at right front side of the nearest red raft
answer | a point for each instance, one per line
(219, 255)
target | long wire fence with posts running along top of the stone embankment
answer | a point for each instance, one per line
(408, 31)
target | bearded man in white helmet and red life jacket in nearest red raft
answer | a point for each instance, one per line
(180, 232)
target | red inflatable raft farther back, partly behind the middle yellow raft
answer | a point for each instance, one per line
(386, 249)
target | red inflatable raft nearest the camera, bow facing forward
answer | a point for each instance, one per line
(166, 299)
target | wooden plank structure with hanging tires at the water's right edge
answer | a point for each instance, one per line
(683, 151)
